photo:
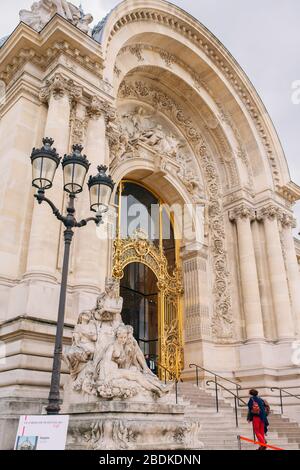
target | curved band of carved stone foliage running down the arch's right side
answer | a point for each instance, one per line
(222, 320)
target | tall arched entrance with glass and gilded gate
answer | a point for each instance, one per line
(146, 263)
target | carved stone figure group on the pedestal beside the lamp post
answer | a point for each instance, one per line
(105, 359)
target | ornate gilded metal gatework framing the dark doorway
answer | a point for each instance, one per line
(139, 249)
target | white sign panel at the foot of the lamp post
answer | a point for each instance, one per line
(43, 432)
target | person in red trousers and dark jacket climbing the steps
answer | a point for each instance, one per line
(257, 414)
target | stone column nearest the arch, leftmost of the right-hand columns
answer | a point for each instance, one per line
(242, 216)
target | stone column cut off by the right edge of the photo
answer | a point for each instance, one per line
(288, 223)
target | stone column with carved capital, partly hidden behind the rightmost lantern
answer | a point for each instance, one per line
(91, 242)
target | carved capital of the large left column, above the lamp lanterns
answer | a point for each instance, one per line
(58, 87)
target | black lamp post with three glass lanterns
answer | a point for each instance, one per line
(45, 162)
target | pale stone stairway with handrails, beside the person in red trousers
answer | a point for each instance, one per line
(219, 431)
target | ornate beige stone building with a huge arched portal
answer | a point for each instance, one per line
(151, 93)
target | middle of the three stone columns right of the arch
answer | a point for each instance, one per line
(277, 272)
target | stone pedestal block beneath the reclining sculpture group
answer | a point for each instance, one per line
(120, 425)
